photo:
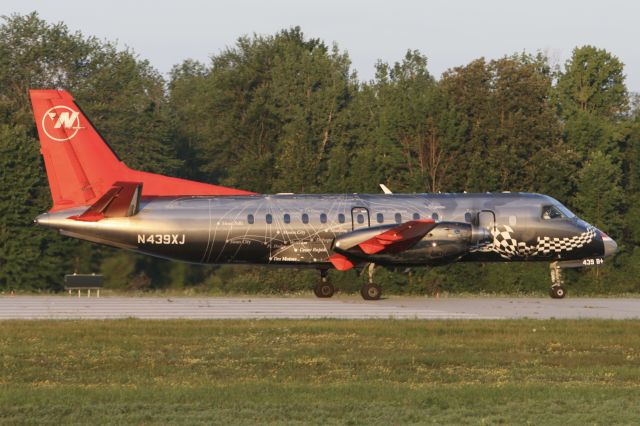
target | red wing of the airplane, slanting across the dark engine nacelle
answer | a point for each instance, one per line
(399, 238)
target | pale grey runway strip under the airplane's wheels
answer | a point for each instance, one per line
(344, 307)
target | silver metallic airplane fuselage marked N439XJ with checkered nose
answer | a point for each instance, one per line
(300, 230)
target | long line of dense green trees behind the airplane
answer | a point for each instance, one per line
(287, 113)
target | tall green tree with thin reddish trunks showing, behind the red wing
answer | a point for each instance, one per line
(417, 126)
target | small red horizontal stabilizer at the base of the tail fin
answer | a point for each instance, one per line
(122, 200)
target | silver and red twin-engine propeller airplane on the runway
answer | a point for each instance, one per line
(97, 198)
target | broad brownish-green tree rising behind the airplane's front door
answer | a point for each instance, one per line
(508, 117)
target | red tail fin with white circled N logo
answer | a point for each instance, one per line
(81, 166)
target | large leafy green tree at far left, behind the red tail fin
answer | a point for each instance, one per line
(124, 97)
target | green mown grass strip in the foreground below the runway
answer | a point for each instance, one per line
(320, 371)
